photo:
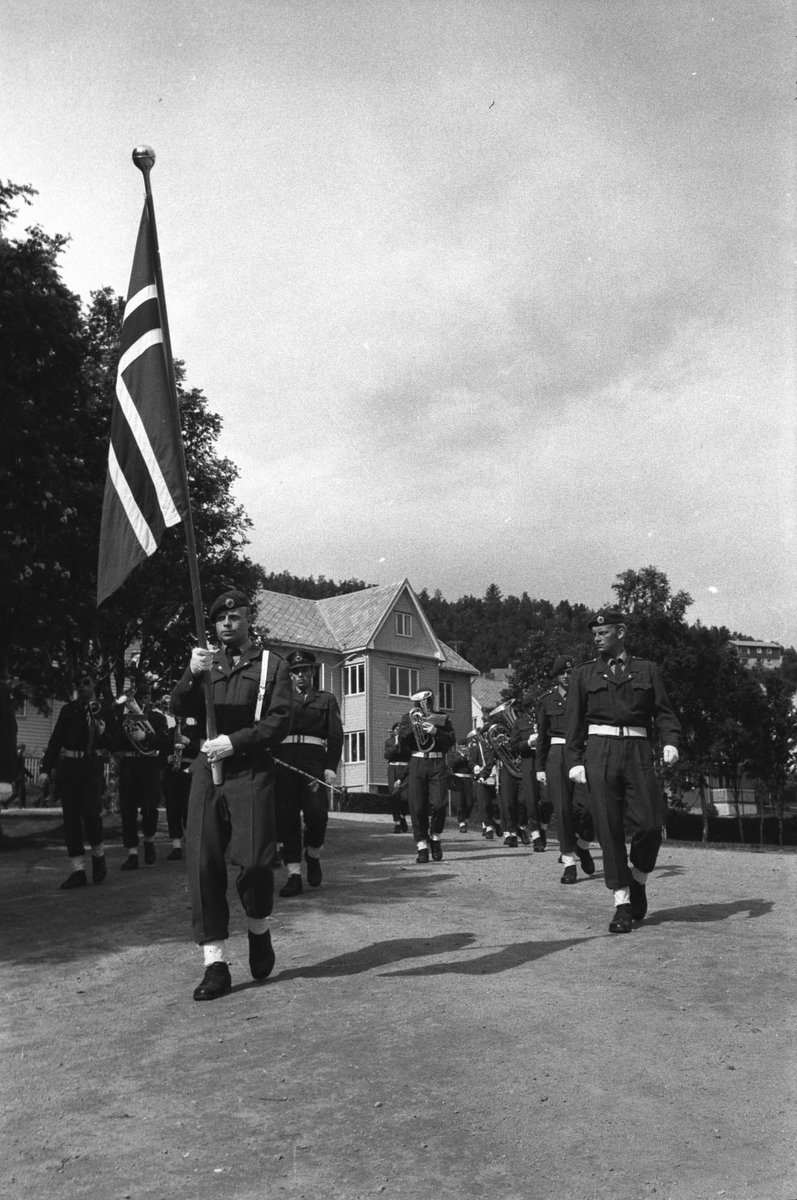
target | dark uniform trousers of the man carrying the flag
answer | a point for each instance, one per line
(236, 817)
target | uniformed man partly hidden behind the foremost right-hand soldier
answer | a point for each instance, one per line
(573, 820)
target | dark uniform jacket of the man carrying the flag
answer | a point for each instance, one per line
(235, 693)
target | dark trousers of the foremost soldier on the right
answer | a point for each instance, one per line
(624, 793)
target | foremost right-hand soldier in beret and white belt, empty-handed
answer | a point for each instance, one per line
(614, 706)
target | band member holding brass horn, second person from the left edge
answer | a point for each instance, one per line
(140, 772)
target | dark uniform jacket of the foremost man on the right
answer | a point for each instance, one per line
(636, 697)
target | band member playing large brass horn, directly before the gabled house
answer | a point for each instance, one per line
(428, 735)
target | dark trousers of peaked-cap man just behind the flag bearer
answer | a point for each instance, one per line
(297, 800)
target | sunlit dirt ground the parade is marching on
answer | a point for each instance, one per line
(469, 1029)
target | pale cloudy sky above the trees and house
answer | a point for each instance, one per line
(484, 292)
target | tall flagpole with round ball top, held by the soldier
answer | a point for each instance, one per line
(145, 159)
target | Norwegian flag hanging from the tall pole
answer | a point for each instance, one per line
(146, 488)
